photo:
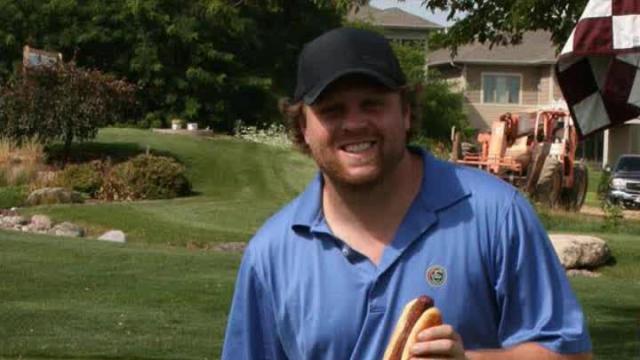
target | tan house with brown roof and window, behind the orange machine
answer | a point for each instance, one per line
(517, 78)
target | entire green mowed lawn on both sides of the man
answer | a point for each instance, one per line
(154, 299)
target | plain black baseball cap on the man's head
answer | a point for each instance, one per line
(345, 51)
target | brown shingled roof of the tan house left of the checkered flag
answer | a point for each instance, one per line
(536, 48)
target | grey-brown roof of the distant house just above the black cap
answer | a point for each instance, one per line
(391, 18)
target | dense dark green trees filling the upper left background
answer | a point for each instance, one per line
(210, 61)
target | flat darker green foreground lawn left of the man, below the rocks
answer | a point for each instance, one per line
(83, 299)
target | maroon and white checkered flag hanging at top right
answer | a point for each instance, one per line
(598, 69)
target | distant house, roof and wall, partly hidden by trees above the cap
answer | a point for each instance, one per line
(396, 23)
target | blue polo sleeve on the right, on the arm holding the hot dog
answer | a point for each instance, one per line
(535, 298)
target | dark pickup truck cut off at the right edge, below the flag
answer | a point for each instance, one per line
(624, 186)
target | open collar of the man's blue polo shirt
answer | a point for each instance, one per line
(439, 190)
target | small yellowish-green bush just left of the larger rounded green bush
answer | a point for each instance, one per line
(86, 178)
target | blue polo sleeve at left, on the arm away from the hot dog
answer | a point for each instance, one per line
(251, 331)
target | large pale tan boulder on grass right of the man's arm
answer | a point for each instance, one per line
(580, 251)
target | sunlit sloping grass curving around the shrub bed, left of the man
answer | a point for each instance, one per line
(237, 185)
